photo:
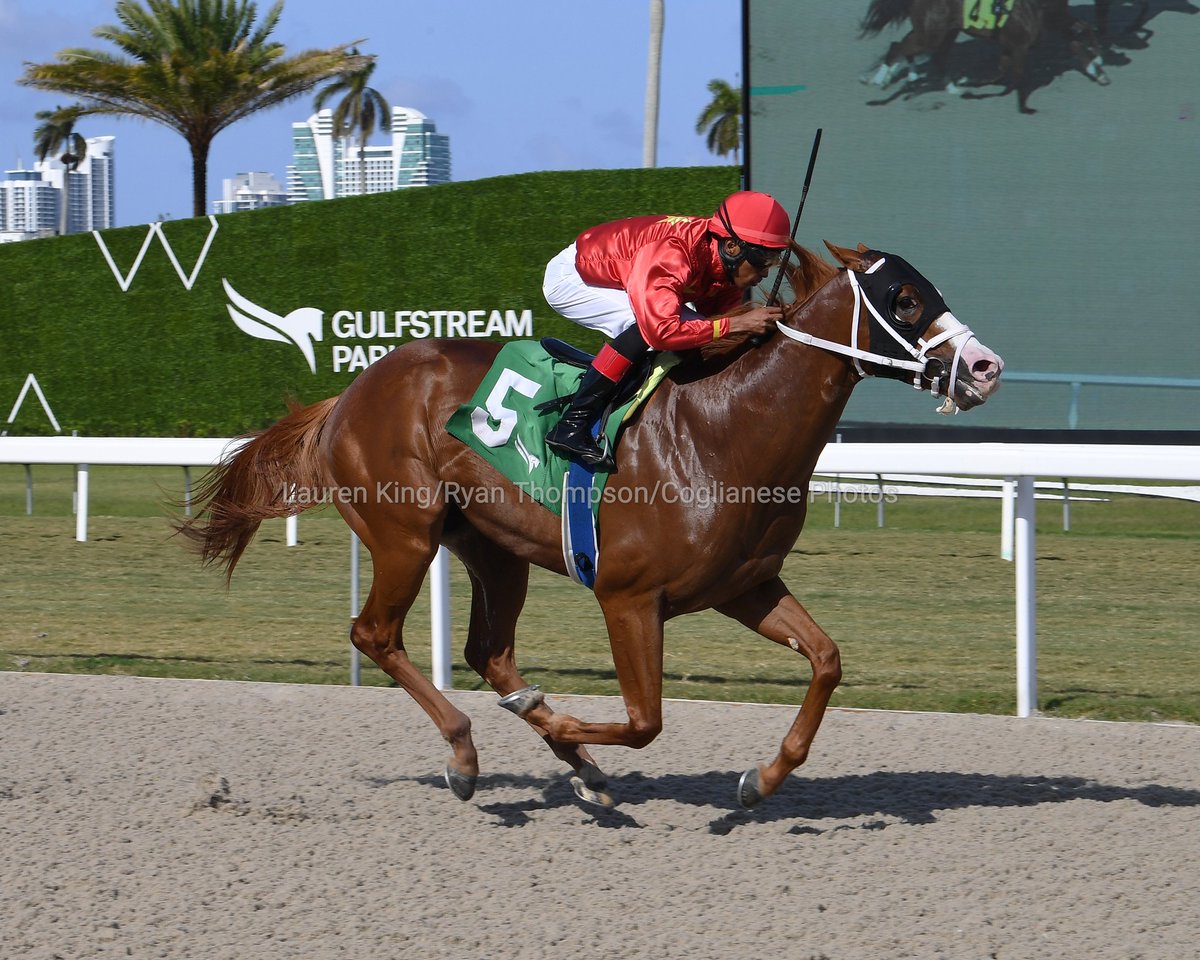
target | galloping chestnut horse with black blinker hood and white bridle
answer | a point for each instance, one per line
(751, 415)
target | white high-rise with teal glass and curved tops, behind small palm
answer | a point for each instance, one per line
(326, 167)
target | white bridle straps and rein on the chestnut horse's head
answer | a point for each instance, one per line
(932, 370)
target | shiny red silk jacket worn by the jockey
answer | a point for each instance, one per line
(662, 263)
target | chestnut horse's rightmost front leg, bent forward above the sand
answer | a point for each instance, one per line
(771, 610)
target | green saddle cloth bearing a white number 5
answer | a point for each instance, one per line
(500, 423)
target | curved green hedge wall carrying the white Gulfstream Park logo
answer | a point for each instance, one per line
(160, 359)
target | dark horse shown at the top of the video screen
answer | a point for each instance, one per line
(937, 23)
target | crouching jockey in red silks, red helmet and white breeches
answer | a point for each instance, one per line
(659, 284)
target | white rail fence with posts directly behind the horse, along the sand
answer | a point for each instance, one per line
(1016, 466)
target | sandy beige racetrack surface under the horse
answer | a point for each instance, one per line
(181, 819)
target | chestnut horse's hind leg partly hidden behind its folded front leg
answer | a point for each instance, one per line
(500, 583)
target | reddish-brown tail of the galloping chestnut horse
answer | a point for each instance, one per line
(260, 481)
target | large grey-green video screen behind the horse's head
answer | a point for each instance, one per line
(1066, 235)
